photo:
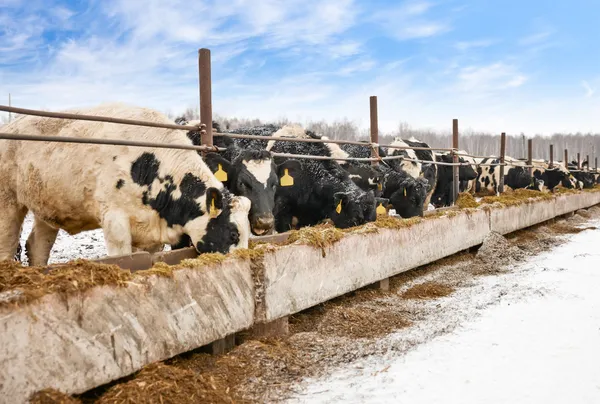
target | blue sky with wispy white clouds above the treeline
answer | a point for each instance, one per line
(515, 66)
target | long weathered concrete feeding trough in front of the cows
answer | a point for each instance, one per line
(78, 341)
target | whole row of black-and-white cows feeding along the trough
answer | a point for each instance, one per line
(144, 198)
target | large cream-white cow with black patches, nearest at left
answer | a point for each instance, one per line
(141, 197)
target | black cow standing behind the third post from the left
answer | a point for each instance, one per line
(442, 195)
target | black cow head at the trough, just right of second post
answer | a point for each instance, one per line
(406, 194)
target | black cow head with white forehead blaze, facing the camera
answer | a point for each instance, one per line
(254, 175)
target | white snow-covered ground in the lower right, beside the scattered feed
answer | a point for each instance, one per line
(539, 344)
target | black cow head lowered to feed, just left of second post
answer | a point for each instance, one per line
(353, 209)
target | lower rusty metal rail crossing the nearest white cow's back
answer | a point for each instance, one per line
(112, 142)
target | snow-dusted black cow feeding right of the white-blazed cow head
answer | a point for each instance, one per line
(310, 191)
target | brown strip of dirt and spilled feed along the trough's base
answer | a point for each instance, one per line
(335, 333)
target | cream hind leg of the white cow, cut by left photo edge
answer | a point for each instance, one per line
(11, 220)
